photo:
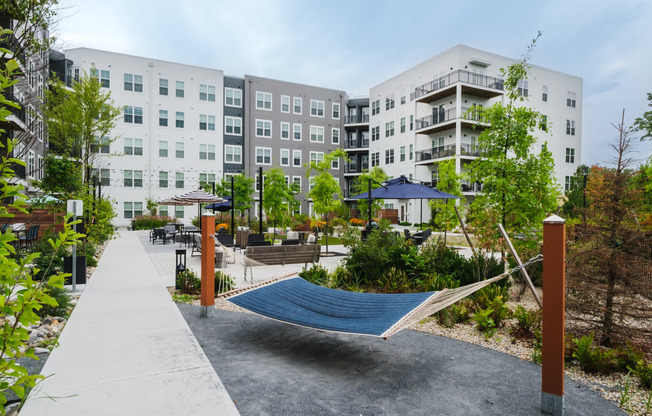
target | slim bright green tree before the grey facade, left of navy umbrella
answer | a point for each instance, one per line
(326, 193)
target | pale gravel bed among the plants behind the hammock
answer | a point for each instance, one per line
(608, 386)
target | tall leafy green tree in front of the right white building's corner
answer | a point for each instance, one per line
(518, 181)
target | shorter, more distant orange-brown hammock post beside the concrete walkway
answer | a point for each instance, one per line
(207, 264)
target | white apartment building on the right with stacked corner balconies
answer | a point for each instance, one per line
(418, 118)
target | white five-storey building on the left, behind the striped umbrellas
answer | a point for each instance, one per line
(170, 136)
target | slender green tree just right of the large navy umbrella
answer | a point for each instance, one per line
(449, 181)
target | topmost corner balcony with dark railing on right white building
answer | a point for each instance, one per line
(472, 84)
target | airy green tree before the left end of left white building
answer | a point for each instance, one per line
(80, 120)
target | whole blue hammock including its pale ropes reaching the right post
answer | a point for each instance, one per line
(293, 300)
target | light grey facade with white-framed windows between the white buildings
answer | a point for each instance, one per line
(288, 125)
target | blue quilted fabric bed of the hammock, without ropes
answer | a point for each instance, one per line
(299, 302)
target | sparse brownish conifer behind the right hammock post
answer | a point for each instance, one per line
(607, 266)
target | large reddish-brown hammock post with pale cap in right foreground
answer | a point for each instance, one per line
(554, 287)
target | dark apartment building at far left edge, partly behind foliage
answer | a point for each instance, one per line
(25, 125)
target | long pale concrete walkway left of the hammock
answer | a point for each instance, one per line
(126, 349)
